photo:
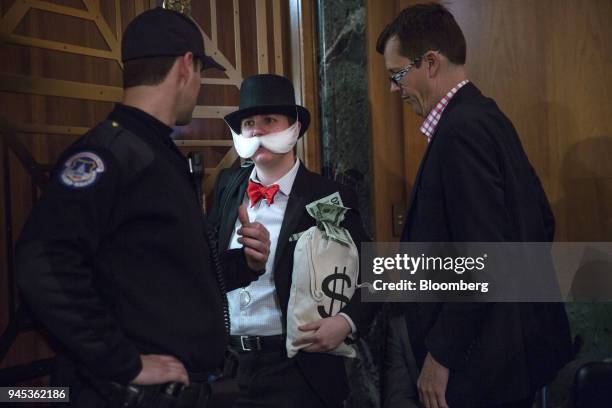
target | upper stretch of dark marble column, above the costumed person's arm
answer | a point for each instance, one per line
(345, 137)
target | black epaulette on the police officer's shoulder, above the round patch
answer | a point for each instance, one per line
(131, 152)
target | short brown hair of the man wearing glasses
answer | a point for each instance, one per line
(425, 27)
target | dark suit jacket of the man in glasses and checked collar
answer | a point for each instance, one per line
(475, 184)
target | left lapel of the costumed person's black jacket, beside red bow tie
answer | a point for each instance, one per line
(235, 190)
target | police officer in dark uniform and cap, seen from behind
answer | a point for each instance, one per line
(115, 258)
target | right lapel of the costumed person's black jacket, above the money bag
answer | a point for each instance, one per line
(298, 198)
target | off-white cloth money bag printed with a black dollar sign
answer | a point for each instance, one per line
(324, 279)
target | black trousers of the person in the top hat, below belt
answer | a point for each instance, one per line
(269, 379)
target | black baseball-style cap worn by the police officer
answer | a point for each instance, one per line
(164, 33)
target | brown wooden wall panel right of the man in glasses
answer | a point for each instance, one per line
(548, 65)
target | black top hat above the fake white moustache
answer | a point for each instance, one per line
(267, 93)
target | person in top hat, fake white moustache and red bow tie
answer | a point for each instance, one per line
(276, 187)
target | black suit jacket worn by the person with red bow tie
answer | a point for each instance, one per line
(325, 372)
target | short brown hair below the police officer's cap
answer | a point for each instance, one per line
(149, 70)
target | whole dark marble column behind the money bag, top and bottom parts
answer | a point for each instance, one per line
(346, 152)
